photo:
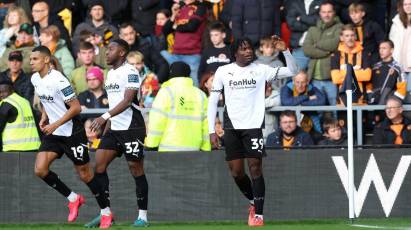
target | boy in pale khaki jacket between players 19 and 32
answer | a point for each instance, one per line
(86, 56)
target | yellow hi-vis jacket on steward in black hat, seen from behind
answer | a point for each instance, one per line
(178, 118)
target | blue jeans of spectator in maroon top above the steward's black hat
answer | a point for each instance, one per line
(192, 60)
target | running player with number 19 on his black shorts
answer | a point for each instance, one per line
(63, 131)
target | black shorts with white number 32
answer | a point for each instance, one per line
(130, 142)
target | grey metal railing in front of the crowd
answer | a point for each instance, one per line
(358, 109)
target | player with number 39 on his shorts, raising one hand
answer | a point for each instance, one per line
(243, 86)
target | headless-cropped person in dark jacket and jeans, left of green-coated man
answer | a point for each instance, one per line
(301, 15)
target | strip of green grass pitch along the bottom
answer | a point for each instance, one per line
(338, 224)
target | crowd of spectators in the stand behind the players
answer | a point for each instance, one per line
(324, 36)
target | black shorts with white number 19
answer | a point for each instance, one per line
(74, 146)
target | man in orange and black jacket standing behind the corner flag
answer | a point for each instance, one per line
(351, 52)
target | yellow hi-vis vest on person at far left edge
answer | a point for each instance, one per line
(20, 135)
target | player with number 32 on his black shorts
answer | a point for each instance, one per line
(125, 129)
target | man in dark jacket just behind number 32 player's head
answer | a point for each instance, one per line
(152, 57)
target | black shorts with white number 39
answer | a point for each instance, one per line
(243, 143)
